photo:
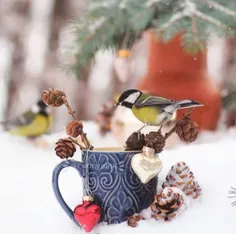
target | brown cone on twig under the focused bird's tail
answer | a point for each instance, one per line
(187, 130)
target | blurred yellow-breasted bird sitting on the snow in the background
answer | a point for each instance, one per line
(31, 123)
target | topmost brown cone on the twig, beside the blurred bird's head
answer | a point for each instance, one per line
(53, 97)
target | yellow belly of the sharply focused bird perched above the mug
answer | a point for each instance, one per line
(147, 115)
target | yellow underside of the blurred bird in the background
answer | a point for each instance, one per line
(38, 126)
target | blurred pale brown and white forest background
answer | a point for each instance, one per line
(34, 37)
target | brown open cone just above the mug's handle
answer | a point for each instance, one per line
(65, 148)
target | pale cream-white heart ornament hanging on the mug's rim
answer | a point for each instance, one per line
(146, 167)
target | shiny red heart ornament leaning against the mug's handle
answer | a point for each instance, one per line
(87, 215)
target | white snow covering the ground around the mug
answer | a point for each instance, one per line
(28, 205)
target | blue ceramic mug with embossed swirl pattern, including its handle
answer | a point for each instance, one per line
(109, 179)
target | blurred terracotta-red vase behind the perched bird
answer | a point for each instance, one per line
(174, 74)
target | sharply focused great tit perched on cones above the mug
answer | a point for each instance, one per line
(152, 110)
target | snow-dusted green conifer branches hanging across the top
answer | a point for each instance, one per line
(106, 23)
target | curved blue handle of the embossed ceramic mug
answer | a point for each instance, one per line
(79, 166)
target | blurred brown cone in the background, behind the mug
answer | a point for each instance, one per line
(104, 117)
